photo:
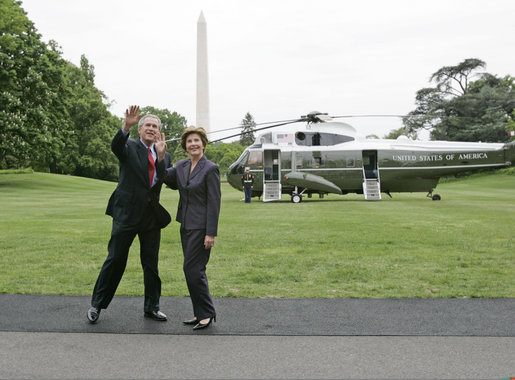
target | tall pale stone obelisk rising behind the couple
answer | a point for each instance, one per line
(202, 75)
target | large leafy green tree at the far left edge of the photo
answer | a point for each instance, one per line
(31, 124)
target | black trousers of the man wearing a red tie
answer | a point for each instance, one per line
(122, 236)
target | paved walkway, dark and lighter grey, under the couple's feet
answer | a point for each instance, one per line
(49, 337)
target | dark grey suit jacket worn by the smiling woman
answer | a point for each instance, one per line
(199, 203)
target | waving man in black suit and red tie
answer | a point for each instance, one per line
(135, 208)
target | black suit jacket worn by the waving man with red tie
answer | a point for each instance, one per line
(133, 193)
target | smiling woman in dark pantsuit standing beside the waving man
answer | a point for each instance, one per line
(198, 182)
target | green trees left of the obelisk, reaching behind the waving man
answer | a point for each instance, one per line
(52, 117)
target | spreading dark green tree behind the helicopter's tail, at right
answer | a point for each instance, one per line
(460, 109)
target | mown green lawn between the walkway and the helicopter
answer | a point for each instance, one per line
(55, 233)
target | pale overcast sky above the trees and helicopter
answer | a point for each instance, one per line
(278, 59)
